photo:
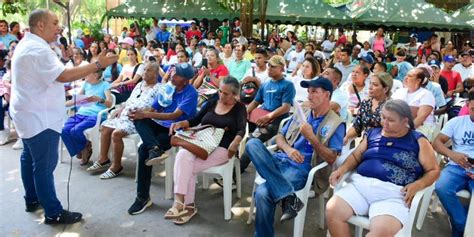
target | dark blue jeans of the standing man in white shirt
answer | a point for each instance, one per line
(38, 161)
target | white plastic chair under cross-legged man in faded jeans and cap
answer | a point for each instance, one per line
(302, 194)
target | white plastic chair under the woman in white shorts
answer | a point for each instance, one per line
(362, 222)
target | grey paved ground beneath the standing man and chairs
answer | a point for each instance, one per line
(104, 204)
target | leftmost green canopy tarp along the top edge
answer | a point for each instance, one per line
(179, 9)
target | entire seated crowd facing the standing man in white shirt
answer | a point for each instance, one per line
(331, 94)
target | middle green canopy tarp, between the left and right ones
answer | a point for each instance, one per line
(307, 12)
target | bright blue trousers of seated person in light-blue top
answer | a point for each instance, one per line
(73, 132)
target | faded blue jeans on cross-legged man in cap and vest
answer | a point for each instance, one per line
(282, 179)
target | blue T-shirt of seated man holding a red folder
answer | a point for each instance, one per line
(272, 94)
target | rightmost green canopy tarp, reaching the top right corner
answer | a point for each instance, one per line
(403, 13)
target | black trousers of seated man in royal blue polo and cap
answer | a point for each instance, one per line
(152, 134)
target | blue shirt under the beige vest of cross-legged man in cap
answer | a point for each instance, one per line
(304, 146)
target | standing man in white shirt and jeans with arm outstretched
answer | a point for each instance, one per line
(38, 108)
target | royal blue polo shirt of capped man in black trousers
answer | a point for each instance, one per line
(184, 100)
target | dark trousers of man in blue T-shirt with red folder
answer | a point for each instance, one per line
(263, 134)
